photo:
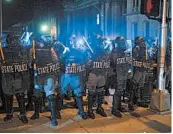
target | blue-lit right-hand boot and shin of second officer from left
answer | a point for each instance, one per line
(53, 109)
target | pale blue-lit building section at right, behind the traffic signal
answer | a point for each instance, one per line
(140, 25)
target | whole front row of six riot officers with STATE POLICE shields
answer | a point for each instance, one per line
(80, 70)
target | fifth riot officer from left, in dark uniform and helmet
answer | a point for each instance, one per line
(121, 64)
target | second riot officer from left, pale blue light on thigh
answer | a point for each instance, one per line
(45, 78)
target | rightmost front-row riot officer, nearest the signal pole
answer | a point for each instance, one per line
(140, 54)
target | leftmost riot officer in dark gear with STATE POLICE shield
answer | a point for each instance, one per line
(15, 76)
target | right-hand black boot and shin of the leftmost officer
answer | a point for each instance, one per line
(21, 102)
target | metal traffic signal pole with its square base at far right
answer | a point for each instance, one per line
(160, 100)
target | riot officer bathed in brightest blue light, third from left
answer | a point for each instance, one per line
(73, 75)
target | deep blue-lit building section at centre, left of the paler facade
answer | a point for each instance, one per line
(85, 16)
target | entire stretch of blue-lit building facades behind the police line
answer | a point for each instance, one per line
(113, 17)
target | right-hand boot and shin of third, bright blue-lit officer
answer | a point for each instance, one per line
(81, 112)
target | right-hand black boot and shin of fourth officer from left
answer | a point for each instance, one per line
(100, 110)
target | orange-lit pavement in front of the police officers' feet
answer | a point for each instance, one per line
(142, 120)
